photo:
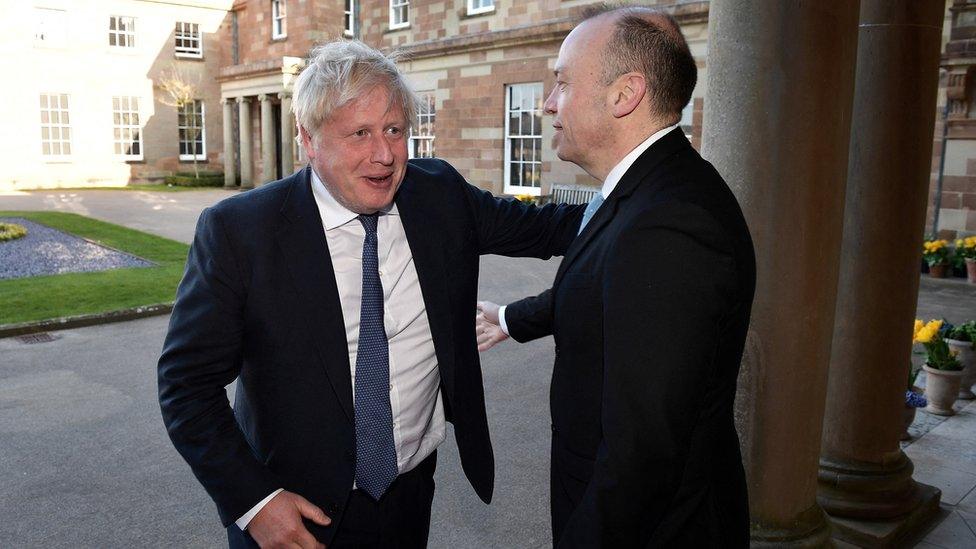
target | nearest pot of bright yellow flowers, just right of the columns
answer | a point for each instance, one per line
(943, 372)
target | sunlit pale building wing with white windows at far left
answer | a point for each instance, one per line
(88, 109)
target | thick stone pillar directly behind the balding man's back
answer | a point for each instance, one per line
(777, 127)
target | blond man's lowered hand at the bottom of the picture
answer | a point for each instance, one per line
(279, 523)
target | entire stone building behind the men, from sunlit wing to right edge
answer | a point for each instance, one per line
(483, 68)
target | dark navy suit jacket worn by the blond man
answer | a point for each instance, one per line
(258, 302)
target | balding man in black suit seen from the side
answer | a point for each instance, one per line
(650, 307)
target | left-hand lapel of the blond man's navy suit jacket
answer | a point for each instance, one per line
(301, 239)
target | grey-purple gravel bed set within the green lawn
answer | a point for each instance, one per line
(46, 251)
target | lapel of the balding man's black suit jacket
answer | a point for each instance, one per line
(664, 148)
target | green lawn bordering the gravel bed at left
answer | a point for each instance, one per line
(45, 297)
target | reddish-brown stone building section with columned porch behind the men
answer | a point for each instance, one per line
(482, 68)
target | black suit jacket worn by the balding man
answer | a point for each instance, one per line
(650, 310)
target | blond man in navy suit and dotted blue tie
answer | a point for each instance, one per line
(341, 299)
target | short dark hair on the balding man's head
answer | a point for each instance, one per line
(650, 42)
